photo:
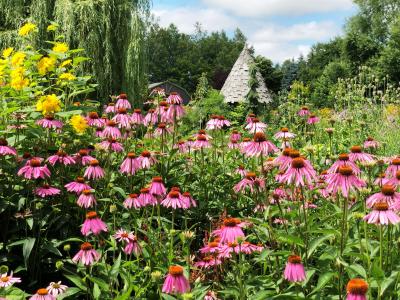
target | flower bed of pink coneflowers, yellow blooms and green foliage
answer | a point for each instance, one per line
(177, 202)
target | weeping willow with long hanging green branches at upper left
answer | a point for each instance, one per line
(112, 32)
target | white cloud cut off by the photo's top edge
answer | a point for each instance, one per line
(253, 8)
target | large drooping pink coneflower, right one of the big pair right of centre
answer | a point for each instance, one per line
(344, 180)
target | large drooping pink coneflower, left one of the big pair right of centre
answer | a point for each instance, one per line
(299, 173)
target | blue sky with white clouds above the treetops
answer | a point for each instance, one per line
(278, 29)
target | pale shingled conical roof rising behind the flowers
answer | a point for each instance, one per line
(236, 86)
